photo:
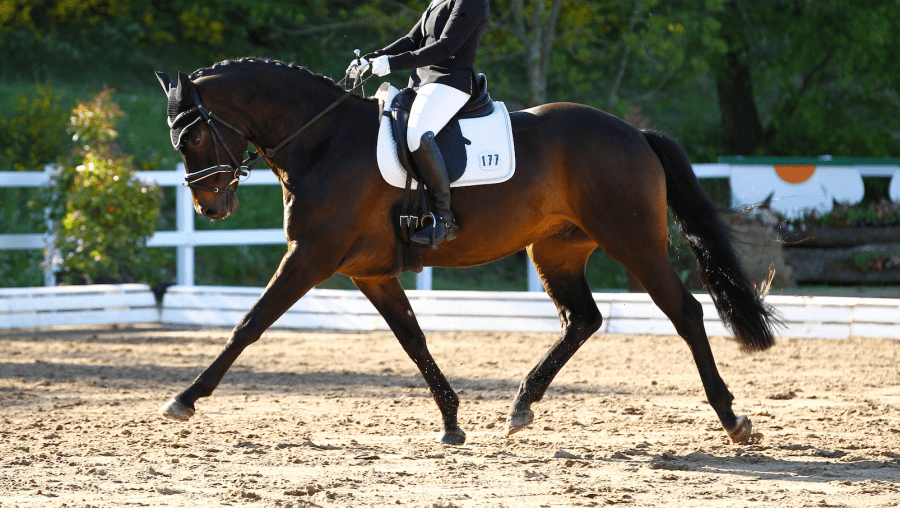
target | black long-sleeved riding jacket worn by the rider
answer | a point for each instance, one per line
(443, 44)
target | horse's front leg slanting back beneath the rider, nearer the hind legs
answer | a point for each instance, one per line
(387, 295)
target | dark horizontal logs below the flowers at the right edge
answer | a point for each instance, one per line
(869, 256)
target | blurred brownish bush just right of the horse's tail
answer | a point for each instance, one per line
(760, 250)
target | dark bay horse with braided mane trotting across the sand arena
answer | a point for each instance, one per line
(585, 179)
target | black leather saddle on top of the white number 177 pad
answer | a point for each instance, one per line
(450, 139)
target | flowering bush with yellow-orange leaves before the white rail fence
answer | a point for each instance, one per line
(102, 214)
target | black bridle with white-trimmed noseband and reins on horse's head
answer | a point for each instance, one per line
(239, 170)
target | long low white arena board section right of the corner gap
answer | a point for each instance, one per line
(635, 313)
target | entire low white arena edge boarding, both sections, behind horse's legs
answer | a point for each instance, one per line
(333, 309)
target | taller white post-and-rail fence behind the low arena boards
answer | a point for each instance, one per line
(185, 238)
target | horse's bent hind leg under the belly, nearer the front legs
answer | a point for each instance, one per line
(560, 261)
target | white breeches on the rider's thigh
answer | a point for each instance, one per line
(433, 108)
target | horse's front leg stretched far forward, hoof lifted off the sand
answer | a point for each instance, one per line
(296, 274)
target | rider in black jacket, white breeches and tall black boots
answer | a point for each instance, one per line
(441, 48)
